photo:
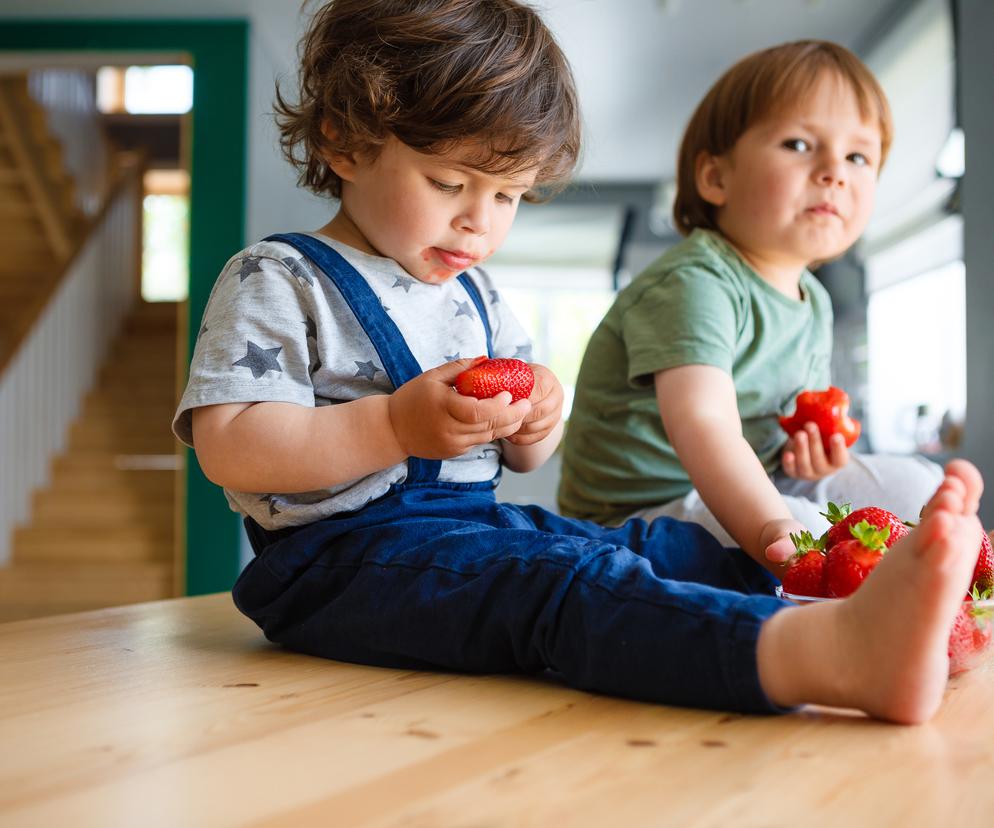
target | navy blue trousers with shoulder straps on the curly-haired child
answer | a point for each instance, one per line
(440, 575)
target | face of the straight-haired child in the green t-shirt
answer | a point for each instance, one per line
(799, 187)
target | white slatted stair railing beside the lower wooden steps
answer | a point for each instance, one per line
(42, 389)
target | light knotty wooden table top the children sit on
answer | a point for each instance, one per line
(178, 713)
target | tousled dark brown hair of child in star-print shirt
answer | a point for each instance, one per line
(432, 73)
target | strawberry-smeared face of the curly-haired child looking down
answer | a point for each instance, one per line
(433, 214)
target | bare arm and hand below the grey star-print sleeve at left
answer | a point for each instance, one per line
(282, 447)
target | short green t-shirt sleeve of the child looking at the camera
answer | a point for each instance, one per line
(687, 316)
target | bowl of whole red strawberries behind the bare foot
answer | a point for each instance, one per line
(836, 564)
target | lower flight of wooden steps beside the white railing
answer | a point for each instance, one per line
(102, 533)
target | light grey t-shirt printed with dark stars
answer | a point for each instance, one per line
(277, 329)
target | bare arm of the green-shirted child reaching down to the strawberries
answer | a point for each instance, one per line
(698, 407)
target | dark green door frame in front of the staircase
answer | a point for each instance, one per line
(218, 51)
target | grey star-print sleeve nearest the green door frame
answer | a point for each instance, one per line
(254, 342)
